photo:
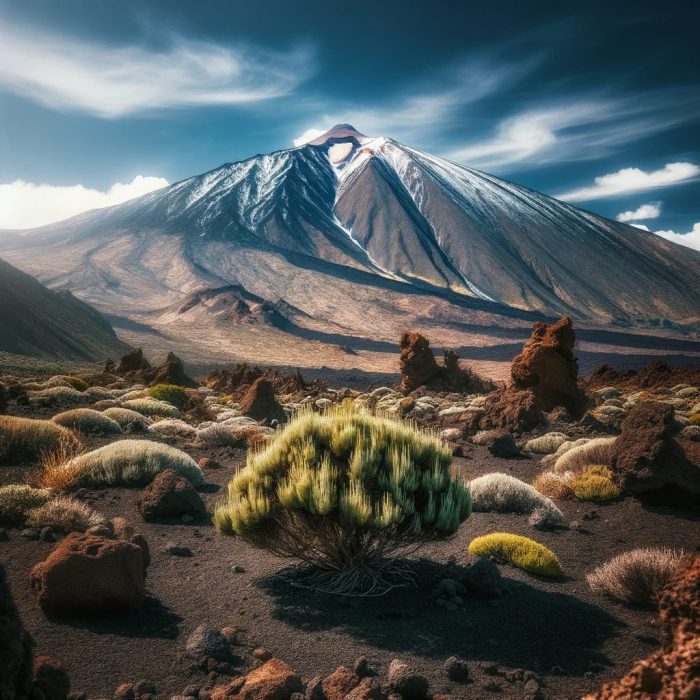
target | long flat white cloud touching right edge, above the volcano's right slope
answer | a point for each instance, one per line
(630, 180)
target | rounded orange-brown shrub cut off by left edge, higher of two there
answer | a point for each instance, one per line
(26, 438)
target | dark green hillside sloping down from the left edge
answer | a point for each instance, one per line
(40, 322)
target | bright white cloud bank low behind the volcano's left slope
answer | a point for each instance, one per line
(26, 205)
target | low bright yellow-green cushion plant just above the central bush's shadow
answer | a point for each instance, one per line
(520, 551)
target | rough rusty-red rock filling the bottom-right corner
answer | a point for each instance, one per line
(673, 672)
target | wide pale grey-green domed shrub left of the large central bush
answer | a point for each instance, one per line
(125, 462)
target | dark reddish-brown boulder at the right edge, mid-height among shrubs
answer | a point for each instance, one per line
(647, 460)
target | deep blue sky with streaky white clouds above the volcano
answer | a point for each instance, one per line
(597, 102)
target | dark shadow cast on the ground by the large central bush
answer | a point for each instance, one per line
(529, 627)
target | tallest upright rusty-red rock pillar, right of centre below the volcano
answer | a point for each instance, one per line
(548, 368)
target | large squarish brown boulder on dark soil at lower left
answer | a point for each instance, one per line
(87, 574)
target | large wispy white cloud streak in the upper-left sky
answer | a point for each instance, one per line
(113, 81)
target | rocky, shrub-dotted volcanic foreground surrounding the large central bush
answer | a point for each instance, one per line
(128, 591)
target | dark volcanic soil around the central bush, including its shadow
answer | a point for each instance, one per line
(572, 638)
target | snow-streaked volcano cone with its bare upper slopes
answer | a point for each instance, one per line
(371, 212)
